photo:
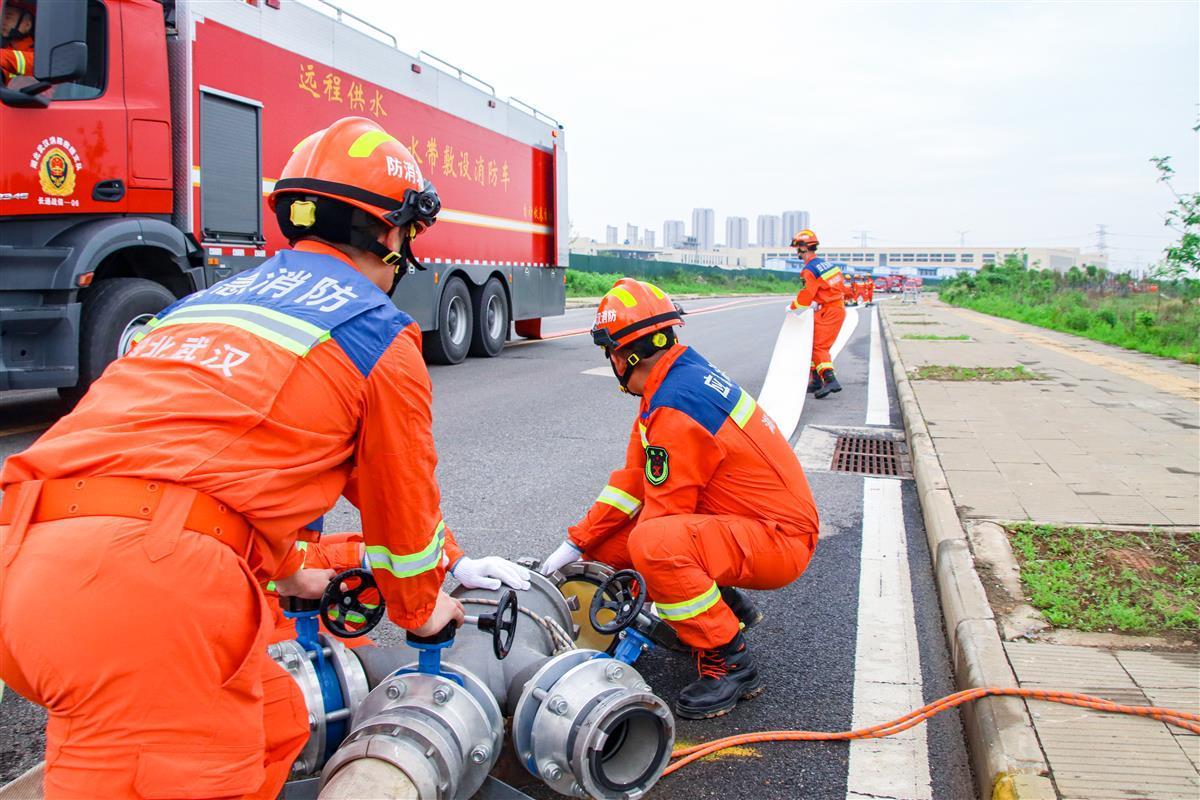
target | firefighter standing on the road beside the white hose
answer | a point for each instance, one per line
(824, 285)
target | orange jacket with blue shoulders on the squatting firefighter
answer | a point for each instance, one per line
(722, 453)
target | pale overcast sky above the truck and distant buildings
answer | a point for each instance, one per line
(1019, 123)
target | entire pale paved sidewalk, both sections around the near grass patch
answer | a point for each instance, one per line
(1107, 438)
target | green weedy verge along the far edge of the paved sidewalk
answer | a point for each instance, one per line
(1091, 308)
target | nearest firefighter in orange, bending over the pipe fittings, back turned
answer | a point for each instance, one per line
(136, 533)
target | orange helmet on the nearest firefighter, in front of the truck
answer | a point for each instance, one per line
(358, 165)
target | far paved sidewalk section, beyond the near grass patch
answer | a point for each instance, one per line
(1111, 437)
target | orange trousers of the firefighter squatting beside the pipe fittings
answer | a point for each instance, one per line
(687, 556)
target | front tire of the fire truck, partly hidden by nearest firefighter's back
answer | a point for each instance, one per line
(112, 314)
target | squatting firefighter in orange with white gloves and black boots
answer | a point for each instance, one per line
(711, 497)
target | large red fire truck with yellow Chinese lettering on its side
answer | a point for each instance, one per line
(136, 159)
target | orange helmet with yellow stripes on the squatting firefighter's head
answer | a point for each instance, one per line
(635, 316)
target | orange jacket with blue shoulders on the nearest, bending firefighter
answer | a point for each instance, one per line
(268, 392)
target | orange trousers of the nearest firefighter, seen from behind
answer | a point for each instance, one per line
(184, 702)
